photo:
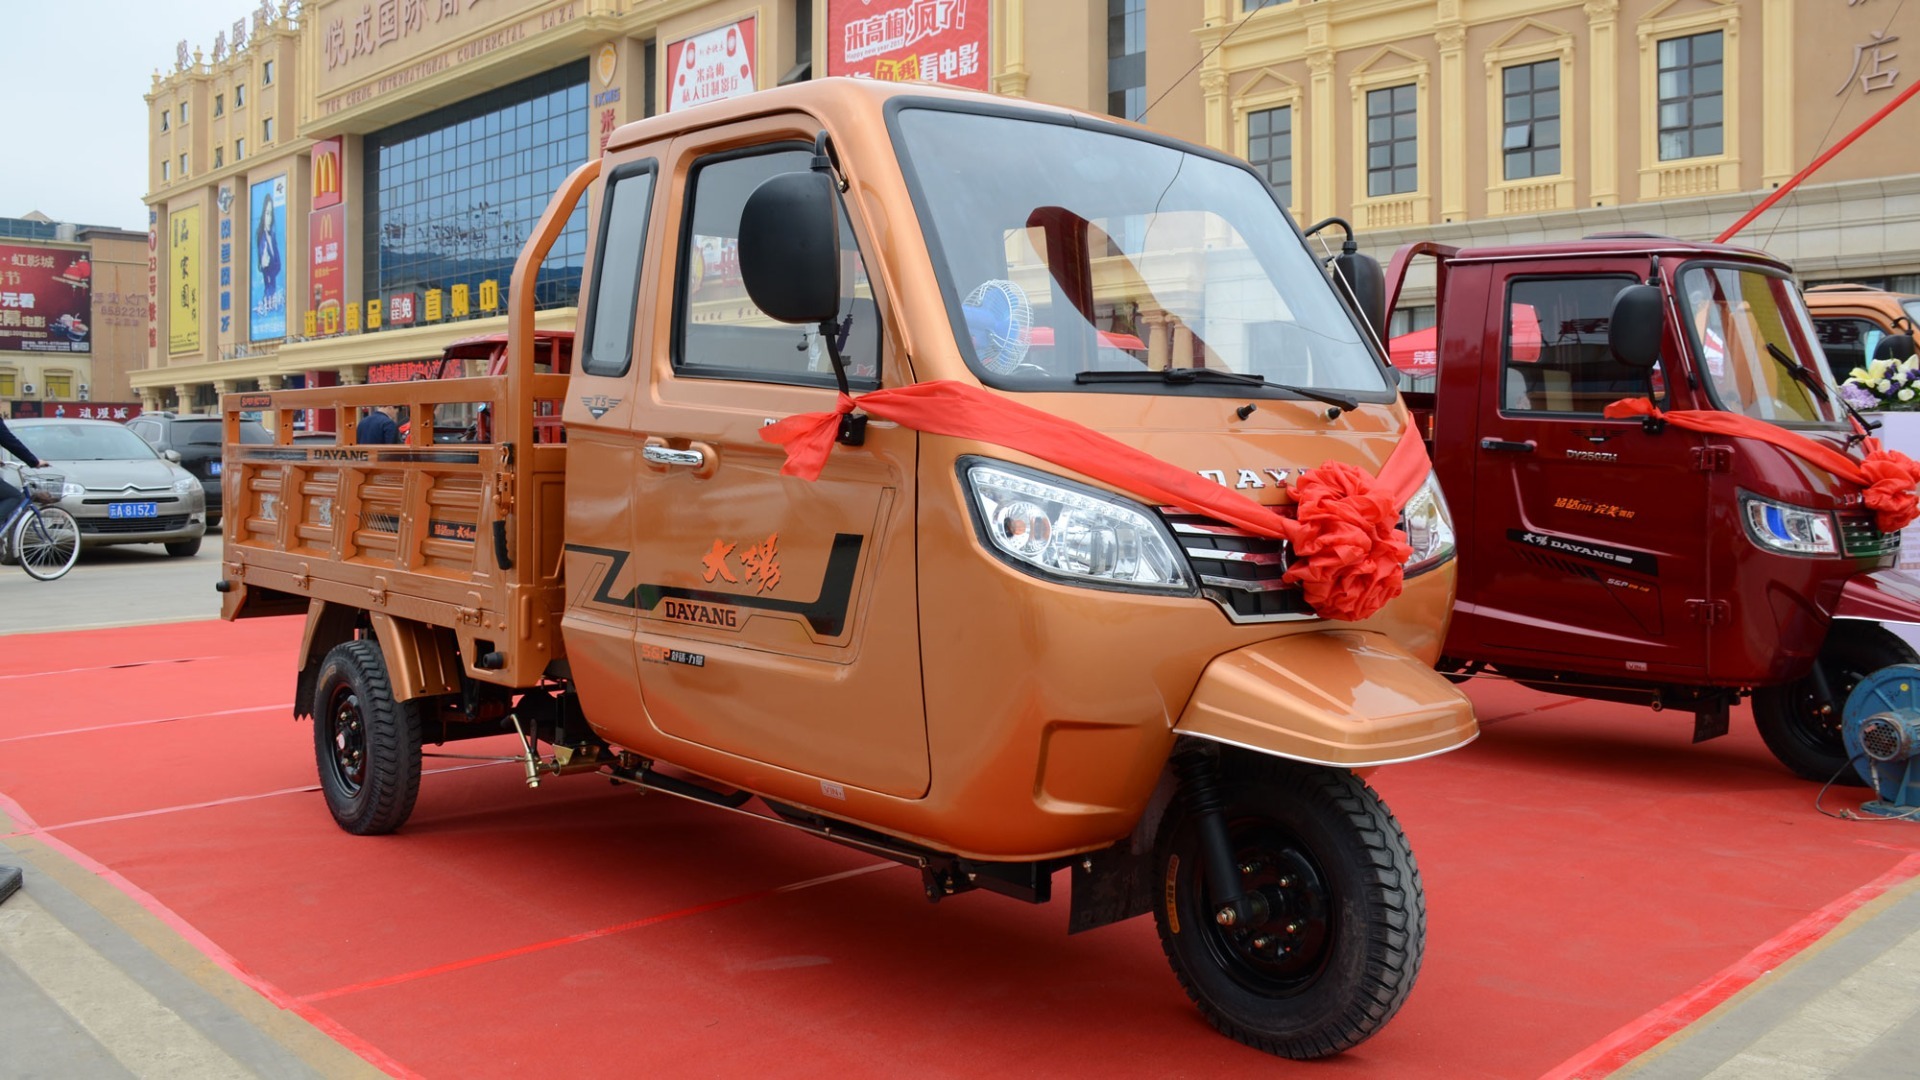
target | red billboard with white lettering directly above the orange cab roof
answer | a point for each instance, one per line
(905, 41)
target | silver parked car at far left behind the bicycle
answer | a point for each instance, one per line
(120, 489)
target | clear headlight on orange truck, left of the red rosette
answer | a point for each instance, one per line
(1072, 533)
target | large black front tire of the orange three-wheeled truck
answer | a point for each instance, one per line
(1347, 923)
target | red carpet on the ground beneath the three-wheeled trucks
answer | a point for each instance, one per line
(1593, 885)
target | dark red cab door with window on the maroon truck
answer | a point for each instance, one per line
(1589, 533)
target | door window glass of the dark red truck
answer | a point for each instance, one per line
(1554, 349)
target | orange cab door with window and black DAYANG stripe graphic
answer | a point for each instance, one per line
(777, 618)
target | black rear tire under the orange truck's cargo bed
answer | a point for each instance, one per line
(366, 745)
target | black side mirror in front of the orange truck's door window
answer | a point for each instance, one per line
(790, 247)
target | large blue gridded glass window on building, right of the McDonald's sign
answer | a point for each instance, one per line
(452, 195)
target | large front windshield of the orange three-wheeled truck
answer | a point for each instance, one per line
(1068, 251)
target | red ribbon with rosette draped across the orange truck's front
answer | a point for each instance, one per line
(1349, 551)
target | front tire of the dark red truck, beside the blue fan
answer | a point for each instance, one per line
(1802, 725)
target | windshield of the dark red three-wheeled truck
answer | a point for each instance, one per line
(1735, 314)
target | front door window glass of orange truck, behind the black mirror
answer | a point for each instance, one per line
(719, 331)
